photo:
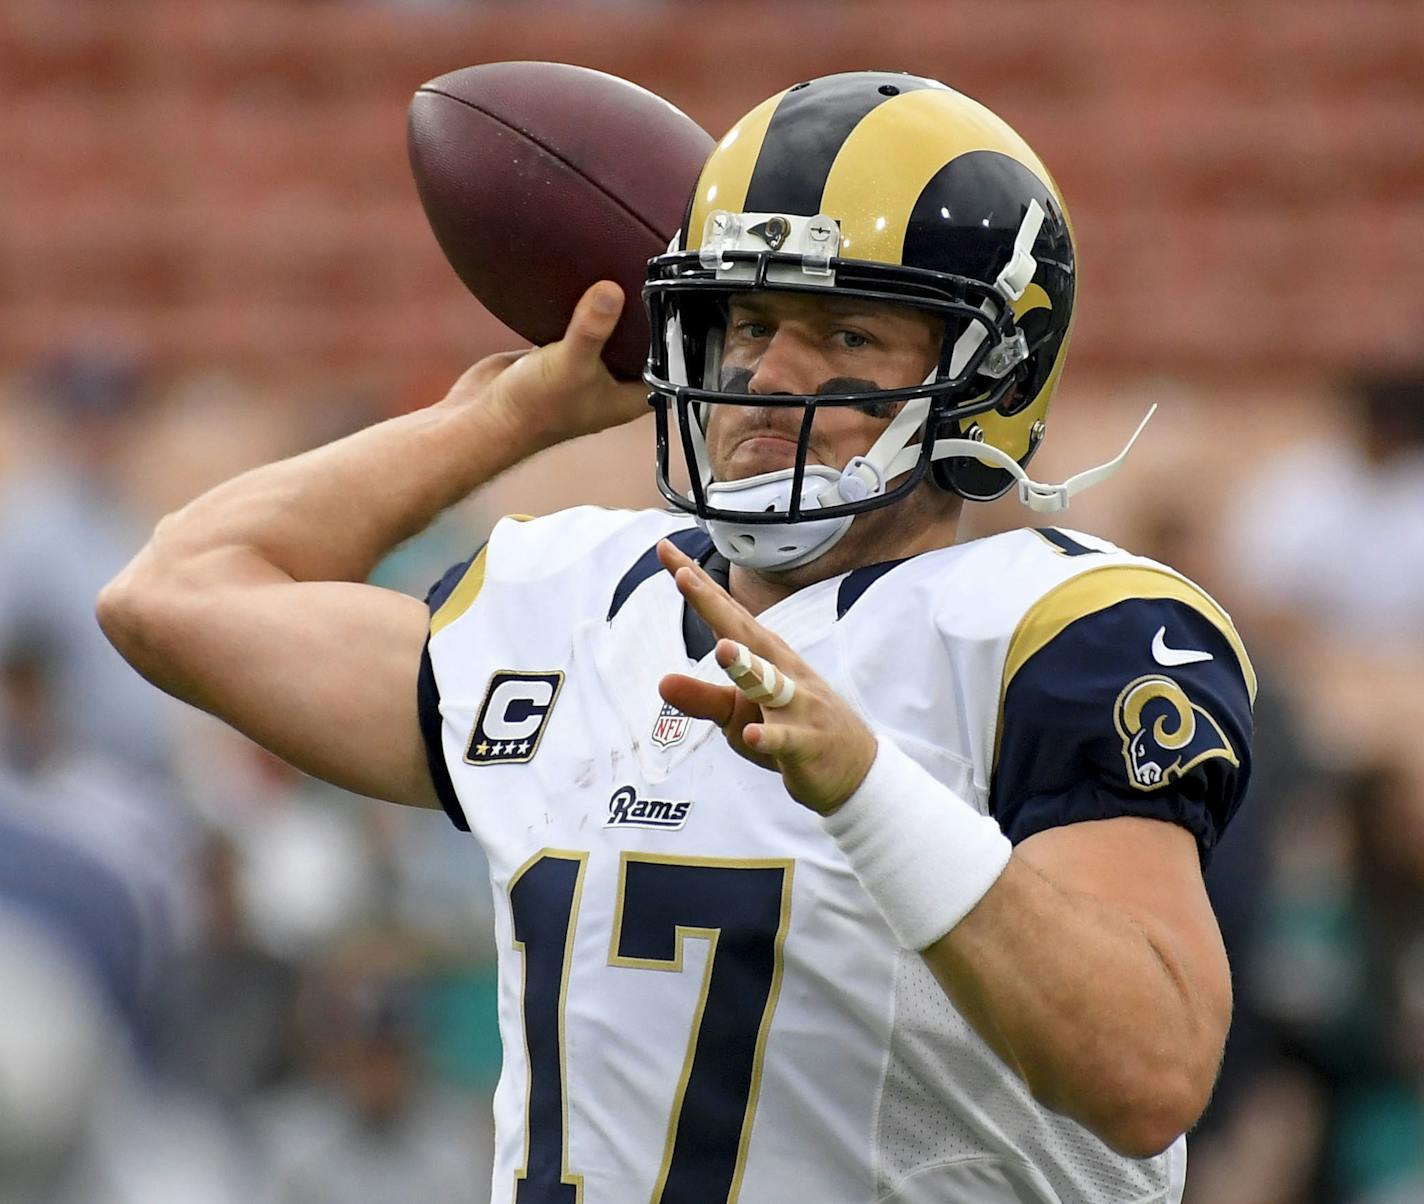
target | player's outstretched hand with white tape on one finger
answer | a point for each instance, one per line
(820, 746)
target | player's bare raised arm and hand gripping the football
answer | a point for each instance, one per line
(251, 601)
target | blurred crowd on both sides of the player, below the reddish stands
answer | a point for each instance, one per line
(226, 981)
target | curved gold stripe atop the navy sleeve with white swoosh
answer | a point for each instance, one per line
(1099, 590)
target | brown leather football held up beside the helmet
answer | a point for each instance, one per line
(540, 179)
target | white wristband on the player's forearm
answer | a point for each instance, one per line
(922, 853)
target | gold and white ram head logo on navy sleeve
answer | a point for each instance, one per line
(1164, 732)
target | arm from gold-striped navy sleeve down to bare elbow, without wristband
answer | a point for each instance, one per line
(1094, 964)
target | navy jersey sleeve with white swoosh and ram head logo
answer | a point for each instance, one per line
(1137, 707)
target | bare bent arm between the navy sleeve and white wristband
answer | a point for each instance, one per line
(1096, 970)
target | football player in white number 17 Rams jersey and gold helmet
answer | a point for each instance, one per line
(835, 860)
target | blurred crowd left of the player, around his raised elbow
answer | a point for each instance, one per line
(223, 981)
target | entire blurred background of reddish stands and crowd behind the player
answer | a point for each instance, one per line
(221, 983)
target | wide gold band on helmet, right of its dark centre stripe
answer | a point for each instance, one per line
(895, 153)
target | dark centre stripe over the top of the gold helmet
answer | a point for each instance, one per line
(807, 134)
